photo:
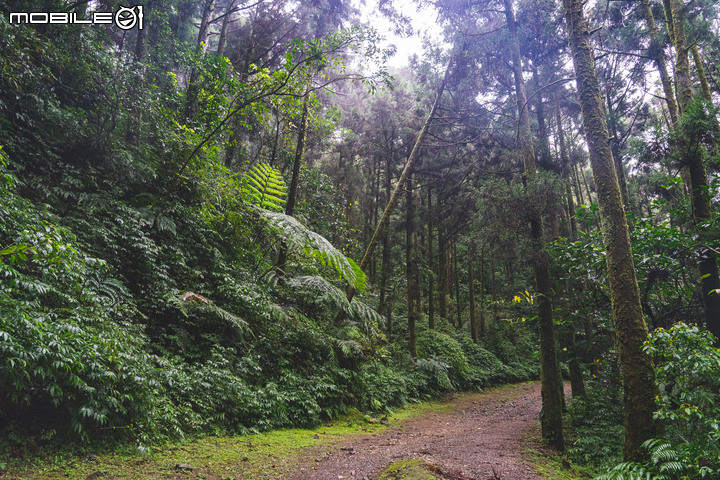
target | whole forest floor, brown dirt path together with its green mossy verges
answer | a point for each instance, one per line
(488, 435)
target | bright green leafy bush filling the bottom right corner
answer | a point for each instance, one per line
(688, 376)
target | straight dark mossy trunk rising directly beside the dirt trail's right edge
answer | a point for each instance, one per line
(552, 393)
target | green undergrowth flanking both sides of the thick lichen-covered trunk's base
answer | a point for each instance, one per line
(688, 430)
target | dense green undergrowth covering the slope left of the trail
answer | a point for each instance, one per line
(145, 320)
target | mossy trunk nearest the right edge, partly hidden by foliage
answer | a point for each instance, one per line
(692, 154)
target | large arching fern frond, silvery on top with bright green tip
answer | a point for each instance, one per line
(300, 239)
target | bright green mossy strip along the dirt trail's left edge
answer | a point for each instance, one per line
(264, 456)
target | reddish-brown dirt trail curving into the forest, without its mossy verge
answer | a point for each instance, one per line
(481, 439)
